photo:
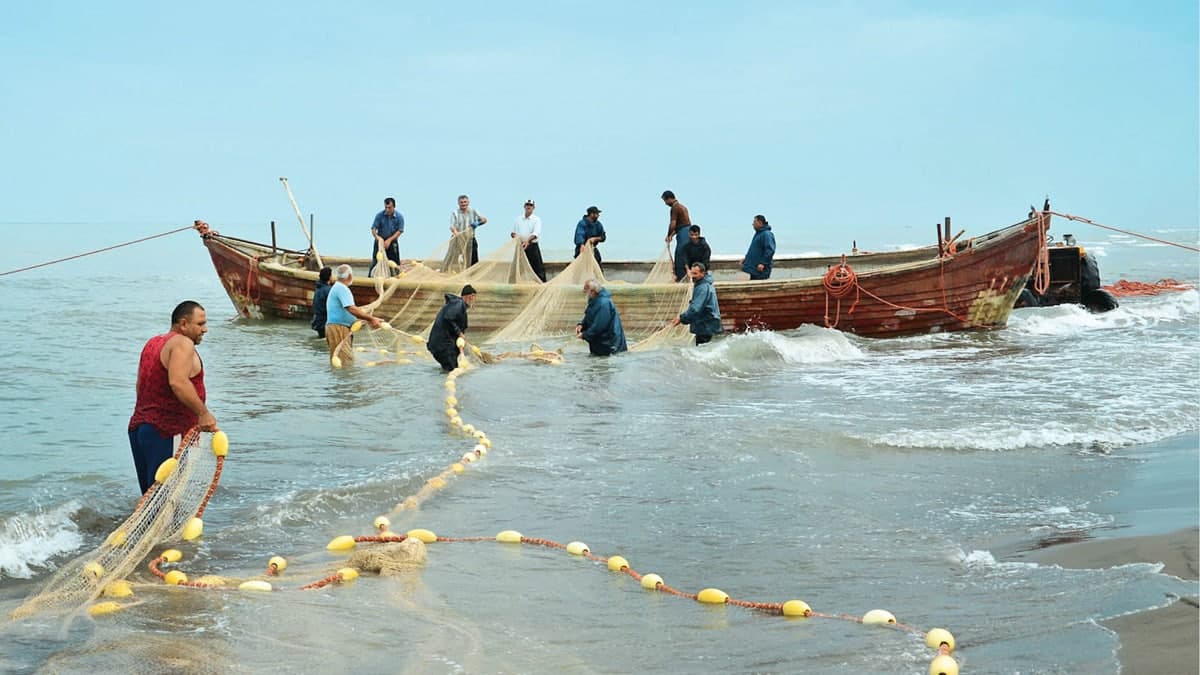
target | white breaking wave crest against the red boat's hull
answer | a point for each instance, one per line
(764, 350)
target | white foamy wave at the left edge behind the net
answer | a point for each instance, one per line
(33, 540)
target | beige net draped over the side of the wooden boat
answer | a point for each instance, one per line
(519, 308)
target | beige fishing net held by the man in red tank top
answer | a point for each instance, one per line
(170, 507)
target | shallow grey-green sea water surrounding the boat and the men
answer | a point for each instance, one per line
(905, 475)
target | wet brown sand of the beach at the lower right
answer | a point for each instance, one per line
(1165, 641)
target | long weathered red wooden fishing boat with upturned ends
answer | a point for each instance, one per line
(925, 291)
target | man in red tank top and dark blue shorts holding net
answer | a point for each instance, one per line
(171, 392)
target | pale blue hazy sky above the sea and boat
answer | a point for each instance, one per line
(839, 122)
